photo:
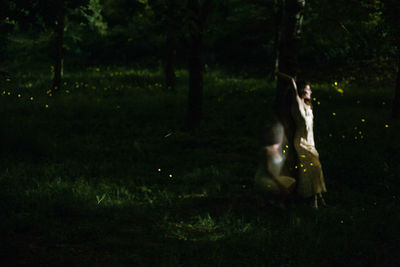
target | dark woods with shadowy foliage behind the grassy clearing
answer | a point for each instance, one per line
(252, 37)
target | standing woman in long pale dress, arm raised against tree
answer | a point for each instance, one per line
(311, 179)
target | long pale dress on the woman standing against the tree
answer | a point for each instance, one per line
(311, 178)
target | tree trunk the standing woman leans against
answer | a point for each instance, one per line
(288, 61)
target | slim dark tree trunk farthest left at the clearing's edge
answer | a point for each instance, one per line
(58, 68)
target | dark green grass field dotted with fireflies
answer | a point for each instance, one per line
(100, 174)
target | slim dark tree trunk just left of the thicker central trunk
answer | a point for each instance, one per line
(170, 77)
